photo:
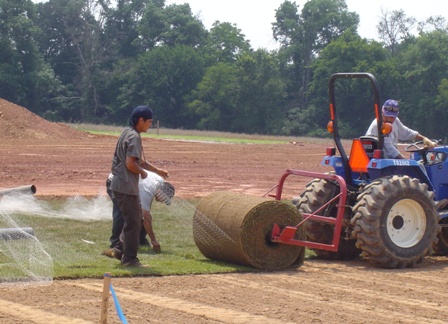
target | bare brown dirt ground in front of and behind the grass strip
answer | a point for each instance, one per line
(62, 162)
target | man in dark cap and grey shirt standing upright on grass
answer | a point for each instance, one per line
(127, 166)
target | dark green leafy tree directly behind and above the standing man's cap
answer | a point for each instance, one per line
(161, 78)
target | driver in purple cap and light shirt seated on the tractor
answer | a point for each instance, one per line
(399, 132)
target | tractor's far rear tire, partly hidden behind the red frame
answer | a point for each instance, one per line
(317, 193)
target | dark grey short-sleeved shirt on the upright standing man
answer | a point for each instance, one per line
(129, 145)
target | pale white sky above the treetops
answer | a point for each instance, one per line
(254, 17)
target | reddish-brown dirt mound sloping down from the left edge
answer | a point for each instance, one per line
(17, 122)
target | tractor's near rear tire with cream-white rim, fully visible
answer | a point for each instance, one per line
(396, 222)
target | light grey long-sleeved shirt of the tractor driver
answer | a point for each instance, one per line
(399, 132)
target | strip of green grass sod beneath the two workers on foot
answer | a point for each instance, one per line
(74, 245)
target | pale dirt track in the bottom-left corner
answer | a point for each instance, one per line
(26, 314)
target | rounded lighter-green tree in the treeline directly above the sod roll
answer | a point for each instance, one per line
(247, 96)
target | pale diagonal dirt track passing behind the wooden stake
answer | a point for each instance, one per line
(181, 305)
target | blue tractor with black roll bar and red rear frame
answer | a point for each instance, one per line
(392, 212)
